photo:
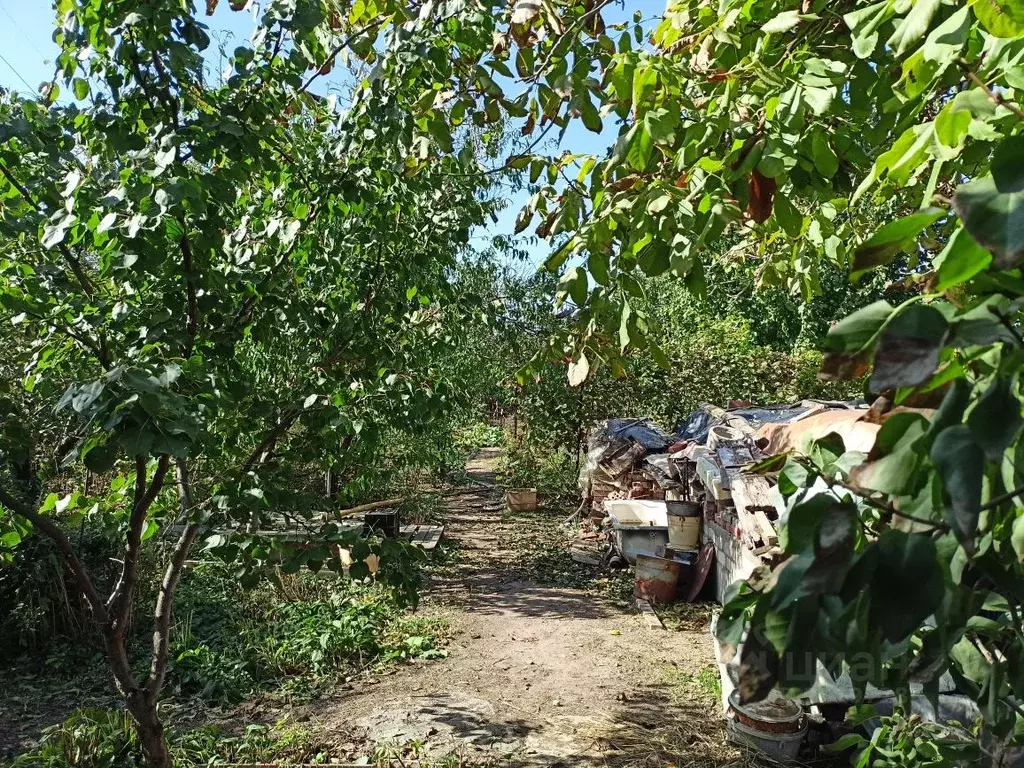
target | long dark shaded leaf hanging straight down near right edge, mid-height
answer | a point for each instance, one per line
(961, 463)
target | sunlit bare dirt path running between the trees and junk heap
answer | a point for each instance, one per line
(534, 670)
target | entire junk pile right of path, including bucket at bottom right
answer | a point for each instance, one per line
(682, 510)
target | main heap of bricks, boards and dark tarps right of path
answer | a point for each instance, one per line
(680, 508)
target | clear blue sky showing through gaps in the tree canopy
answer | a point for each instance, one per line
(29, 52)
